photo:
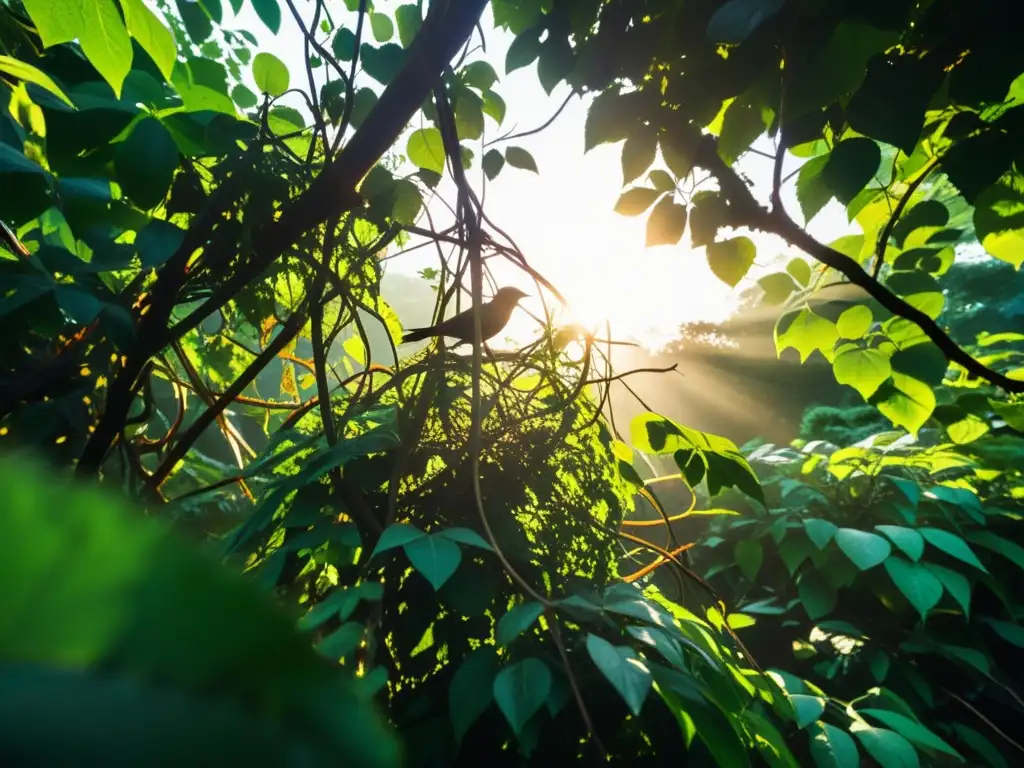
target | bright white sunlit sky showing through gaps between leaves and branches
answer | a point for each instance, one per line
(563, 220)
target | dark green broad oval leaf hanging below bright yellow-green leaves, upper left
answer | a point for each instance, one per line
(146, 163)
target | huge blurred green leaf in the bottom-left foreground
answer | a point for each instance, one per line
(131, 587)
